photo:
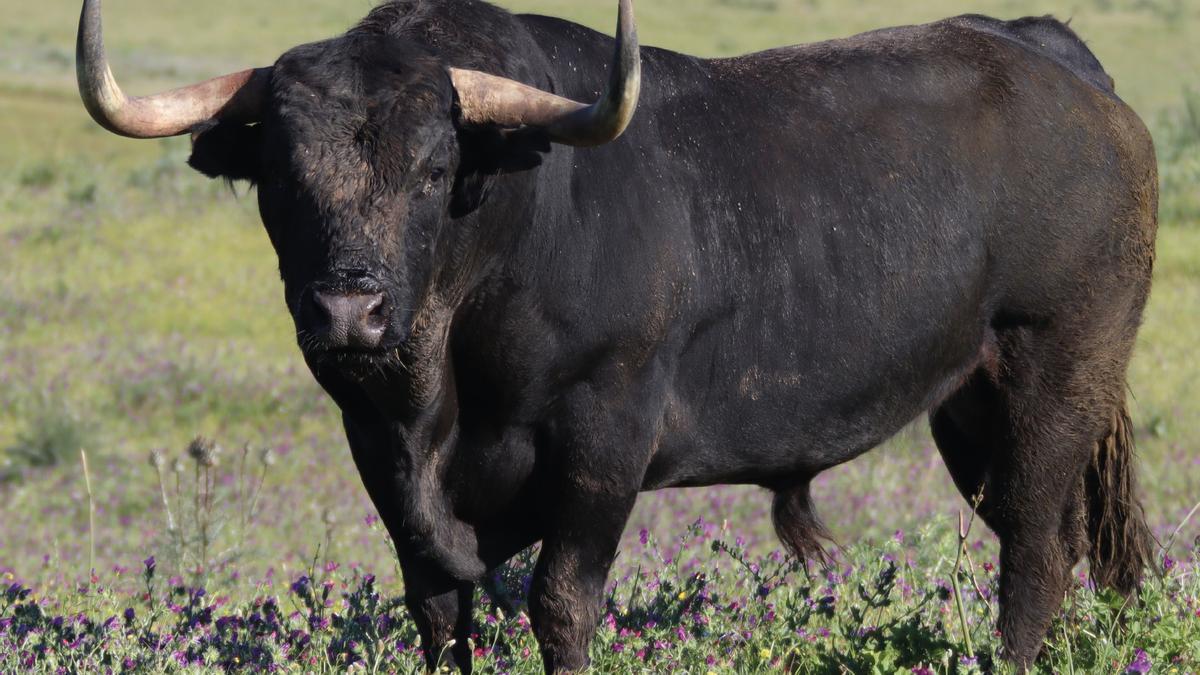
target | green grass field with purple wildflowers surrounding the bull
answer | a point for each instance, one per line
(141, 307)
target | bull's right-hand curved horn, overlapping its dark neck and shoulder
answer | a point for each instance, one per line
(488, 99)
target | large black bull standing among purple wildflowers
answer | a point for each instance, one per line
(787, 259)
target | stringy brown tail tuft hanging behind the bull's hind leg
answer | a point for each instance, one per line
(1119, 539)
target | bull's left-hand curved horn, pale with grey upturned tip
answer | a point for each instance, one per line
(238, 97)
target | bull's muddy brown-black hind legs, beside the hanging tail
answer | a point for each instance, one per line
(1028, 435)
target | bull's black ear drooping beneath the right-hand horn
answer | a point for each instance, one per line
(489, 153)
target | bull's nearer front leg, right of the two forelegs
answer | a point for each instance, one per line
(597, 473)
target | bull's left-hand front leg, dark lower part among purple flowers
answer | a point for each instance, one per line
(441, 608)
